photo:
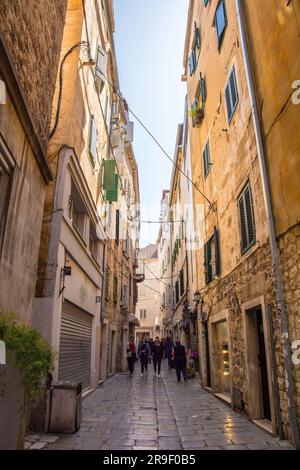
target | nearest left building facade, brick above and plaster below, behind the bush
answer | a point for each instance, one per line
(25, 112)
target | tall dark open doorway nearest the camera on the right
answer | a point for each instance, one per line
(258, 382)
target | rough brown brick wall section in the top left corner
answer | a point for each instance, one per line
(32, 33)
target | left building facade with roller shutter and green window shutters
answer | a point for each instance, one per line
(82, 256)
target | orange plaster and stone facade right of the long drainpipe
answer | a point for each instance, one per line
(276, 78)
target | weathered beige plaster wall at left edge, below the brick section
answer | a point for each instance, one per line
(19, 254)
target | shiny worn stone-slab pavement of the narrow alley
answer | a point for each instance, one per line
(133, 413)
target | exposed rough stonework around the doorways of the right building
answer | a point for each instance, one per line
(253, 278)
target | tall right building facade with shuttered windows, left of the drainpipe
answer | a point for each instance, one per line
(238, 309)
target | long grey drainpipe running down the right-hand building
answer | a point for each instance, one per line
(289, 382)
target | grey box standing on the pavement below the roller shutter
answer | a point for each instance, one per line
(66, 407)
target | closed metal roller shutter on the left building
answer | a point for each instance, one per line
(75, 345)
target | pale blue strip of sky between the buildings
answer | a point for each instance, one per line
(149, 43)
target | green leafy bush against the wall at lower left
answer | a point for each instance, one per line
(31, 354)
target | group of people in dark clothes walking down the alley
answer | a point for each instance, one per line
(154, 351)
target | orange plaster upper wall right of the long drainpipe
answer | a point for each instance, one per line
(275, 27)
